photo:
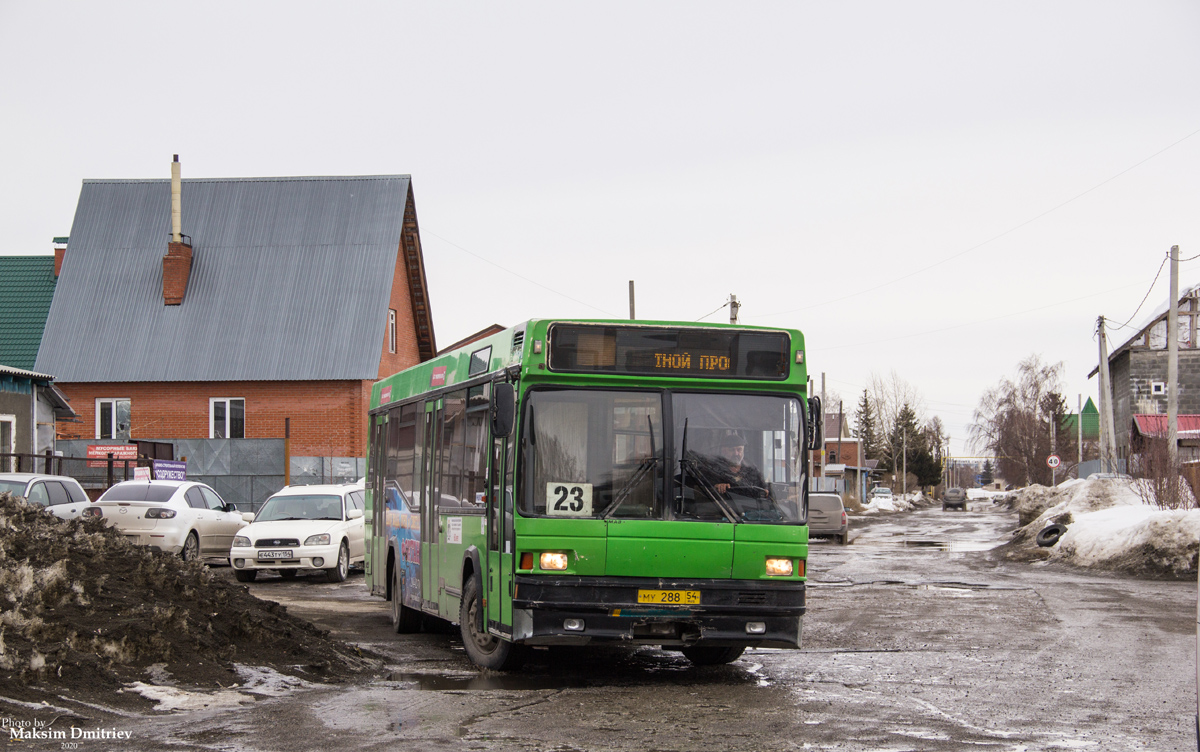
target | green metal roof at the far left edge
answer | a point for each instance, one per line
(27, 288)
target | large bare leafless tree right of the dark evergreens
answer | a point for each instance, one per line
(1015, 423)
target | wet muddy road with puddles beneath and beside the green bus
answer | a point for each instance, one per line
(916, 639)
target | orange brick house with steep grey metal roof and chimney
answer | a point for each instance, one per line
(224, 310)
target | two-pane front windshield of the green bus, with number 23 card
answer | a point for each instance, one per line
(605, 455)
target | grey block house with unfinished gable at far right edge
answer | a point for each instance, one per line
(1138, 369)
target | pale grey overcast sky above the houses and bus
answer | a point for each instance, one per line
(934, 189)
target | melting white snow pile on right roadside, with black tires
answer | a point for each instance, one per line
(1108, 527)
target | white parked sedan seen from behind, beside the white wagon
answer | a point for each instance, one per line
(181, 518)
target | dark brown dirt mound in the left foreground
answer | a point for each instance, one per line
(83, 610)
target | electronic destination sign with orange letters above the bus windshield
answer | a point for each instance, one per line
(649, 351)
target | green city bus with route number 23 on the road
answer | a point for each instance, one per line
(572, 483)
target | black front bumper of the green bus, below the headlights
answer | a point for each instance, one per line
(578, 611)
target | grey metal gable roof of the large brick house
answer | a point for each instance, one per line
(291, 281)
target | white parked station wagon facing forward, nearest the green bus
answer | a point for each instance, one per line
(309, 528)
